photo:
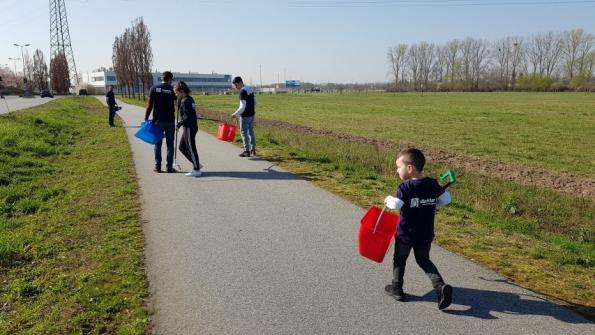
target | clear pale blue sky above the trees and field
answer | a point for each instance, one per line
(346, 41)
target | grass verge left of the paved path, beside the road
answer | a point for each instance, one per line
(71, 243)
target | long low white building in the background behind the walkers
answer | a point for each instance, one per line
(98, 81)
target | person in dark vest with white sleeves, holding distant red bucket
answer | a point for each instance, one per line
(245, 113)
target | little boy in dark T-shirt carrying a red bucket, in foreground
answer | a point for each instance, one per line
(417, 197)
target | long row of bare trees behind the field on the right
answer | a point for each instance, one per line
(545, 61)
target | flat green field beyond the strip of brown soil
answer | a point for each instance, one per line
(544, 130)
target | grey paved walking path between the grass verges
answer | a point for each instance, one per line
(251, 249)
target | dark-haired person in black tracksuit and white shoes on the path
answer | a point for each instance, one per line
(188, 121)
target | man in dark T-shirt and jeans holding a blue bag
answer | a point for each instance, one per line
(162, 101)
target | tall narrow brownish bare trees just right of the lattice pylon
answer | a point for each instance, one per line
(132, 59)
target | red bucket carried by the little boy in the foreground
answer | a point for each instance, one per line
(373, 245)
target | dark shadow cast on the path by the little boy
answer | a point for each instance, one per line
(481, 304)
